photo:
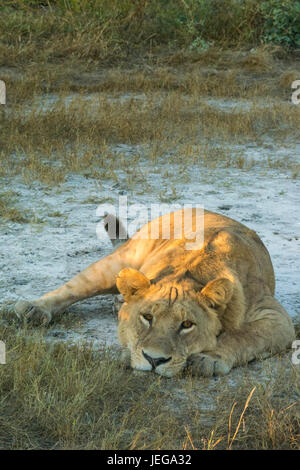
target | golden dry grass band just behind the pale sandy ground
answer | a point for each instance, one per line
(78, 134)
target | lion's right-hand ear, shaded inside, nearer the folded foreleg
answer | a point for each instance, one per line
(217, 293)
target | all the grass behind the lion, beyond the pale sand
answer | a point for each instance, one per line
(78, 84)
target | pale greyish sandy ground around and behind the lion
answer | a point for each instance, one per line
(40, 256)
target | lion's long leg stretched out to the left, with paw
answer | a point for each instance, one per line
(98, 278)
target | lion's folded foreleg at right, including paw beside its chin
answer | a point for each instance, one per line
(268, 330)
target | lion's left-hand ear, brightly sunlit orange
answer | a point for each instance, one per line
(129, 281)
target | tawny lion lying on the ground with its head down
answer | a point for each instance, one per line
(207, 309)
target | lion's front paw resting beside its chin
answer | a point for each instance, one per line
(207, 365)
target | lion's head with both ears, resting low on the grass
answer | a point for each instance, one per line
(162, 324)
